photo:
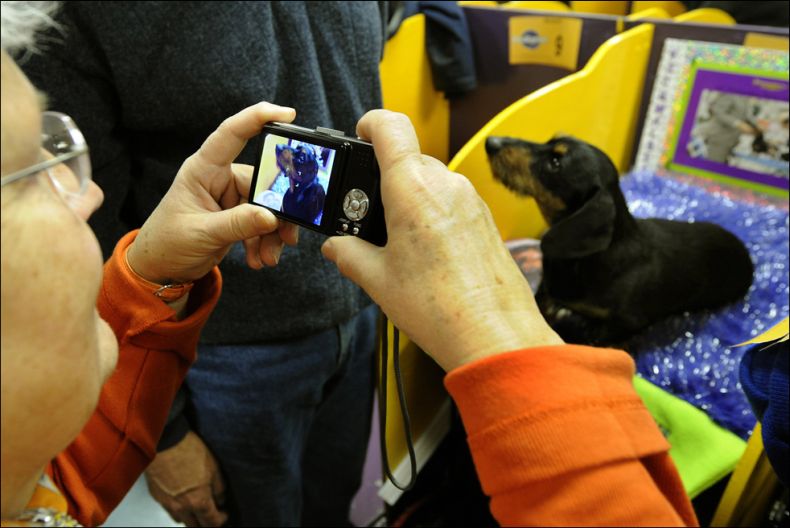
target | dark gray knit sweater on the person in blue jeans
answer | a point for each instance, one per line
(147, 82)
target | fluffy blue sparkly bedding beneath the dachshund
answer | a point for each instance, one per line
(691, 356)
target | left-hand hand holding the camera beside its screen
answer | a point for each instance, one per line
(205, 210)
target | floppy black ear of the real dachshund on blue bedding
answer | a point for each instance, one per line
(587, 231)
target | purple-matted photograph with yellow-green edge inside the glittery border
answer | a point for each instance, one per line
(733, 126)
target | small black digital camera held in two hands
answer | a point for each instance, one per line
(320, 179)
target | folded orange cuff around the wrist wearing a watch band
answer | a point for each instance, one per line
(139, 317)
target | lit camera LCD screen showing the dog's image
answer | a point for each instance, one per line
(293, 178)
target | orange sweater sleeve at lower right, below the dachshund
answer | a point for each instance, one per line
(560, 437)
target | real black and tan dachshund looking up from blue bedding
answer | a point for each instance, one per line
(606, 274)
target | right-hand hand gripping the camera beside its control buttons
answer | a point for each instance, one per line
(445, 278)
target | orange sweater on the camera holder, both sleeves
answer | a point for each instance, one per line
(557, 433)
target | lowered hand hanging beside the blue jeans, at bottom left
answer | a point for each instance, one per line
(186, 481)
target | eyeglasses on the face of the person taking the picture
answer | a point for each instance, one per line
(61, 143)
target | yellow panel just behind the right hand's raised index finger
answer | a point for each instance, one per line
(407, 87)
